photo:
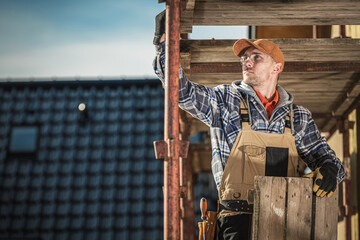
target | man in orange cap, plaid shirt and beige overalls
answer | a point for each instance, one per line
(255, 130)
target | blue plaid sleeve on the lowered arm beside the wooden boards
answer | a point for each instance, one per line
(312, 147)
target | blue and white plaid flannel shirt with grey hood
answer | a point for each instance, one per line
(219, 108)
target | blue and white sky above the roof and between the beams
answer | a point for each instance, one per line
(84, 38)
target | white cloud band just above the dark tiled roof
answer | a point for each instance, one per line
(110, 58)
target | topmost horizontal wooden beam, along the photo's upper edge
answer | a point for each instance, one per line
(276, 12)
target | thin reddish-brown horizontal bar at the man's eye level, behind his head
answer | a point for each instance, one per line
(235, 67)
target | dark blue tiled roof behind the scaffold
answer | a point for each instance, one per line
(92, 177)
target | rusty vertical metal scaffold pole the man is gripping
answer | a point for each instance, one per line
(171, 122)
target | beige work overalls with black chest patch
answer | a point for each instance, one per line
(255, 153)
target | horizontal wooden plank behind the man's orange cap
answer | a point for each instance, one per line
(293, 49)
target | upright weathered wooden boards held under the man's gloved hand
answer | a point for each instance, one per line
(286, 208)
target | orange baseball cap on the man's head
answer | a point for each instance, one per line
(267, 47)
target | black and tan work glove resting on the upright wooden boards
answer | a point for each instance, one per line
(325, 179)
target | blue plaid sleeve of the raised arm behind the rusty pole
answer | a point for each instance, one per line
(198, 100)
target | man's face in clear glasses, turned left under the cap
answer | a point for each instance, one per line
(257, 67)
